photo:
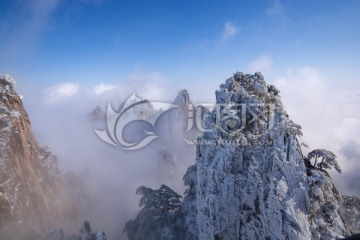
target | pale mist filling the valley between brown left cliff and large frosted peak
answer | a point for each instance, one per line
(62, 119)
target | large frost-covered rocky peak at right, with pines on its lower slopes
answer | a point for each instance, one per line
(250, 179)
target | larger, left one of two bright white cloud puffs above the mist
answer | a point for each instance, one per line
(60, 92)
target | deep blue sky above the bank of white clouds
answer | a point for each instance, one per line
(51, 41)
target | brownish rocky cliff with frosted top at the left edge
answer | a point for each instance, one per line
(30, 181)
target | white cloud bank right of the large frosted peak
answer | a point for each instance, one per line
(329, 117)
